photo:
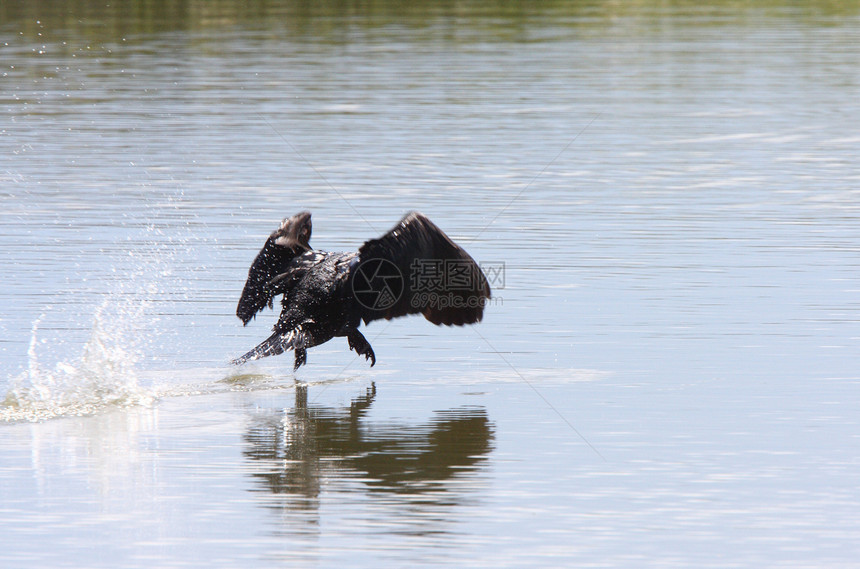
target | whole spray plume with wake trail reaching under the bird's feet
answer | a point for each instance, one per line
(104, 370)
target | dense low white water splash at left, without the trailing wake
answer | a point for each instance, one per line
(103, 376)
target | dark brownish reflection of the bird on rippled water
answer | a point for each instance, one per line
(291, 452)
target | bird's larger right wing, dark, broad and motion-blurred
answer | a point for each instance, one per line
(416, 269)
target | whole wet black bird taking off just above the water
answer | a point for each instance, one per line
(414, 268)
